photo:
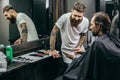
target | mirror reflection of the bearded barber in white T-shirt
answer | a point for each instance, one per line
(25, 25)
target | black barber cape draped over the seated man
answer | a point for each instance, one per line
(100, 62)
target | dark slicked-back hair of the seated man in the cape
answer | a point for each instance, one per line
(102, 19)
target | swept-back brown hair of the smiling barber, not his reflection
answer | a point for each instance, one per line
(79, 6)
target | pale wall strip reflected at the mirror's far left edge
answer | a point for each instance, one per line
(4, 25)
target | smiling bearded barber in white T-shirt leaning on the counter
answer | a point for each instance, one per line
(73, 27)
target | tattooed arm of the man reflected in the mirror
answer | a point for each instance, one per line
(24, 33)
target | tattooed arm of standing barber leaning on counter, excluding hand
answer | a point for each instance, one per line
(54, 32)
